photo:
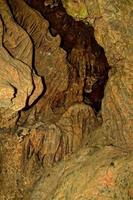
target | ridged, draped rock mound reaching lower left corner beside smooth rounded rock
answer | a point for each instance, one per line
(28, 152)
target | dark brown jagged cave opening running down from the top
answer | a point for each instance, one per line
(85, 55)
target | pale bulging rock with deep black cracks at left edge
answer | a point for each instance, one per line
(19, 85)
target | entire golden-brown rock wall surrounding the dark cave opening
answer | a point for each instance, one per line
(53, 145)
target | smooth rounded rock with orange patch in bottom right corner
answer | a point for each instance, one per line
(92, 174)
